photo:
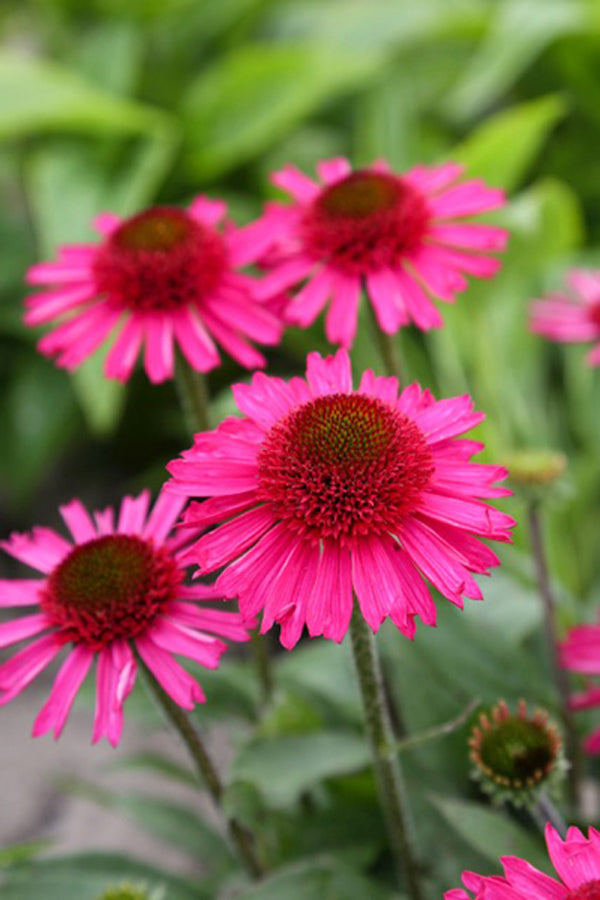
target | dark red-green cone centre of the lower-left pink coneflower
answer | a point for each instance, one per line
(110, 587)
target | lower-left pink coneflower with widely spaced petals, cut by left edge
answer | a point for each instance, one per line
(117, 588)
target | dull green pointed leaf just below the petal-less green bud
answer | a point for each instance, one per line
(490, 832)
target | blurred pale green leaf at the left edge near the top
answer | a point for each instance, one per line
(39, 96)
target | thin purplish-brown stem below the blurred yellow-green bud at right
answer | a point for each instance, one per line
(558, 673)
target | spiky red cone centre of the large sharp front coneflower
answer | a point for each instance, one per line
(343, 465)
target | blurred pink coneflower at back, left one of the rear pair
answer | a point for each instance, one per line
(165, 277)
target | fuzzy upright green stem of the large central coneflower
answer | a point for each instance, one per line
(387, 768)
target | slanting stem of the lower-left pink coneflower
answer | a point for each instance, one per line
(241, 838)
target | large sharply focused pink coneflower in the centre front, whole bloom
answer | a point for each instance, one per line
(325, 490)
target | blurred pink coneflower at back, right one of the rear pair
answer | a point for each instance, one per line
(401, 238)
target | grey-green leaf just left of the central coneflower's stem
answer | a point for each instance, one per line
(283, 768)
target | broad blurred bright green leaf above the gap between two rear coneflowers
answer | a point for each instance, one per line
(254, 96)
